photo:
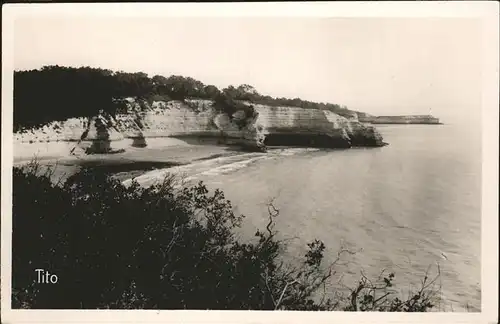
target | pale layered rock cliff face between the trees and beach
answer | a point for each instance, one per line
(289, 126)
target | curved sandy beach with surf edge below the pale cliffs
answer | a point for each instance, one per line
(136, 162)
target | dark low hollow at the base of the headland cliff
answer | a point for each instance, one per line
(306, 140)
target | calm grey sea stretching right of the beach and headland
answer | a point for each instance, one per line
(406, 207)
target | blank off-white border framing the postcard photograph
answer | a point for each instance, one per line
(488, 12)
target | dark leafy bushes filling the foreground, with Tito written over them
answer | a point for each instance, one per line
(170, 246)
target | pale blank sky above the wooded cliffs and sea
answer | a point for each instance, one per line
(382, 66)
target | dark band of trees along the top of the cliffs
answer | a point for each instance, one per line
(57, 93)
